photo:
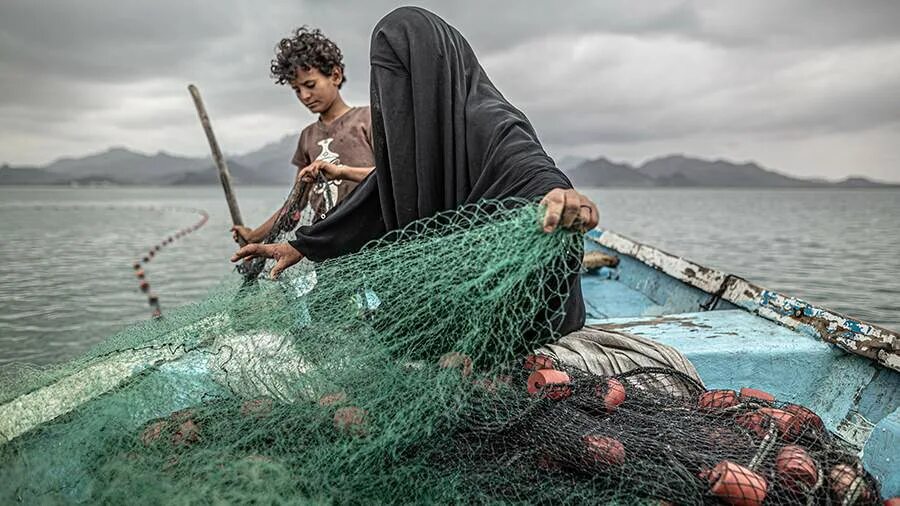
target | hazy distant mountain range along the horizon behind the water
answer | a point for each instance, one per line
(270, 165)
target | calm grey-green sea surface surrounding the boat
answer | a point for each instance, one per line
(66, 277)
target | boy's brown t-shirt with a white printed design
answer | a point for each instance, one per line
(346, 141)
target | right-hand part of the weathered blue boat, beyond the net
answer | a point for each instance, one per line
(739, 334)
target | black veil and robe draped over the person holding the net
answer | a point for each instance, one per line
(443, 136)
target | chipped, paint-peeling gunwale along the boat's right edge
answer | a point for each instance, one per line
(861, 338)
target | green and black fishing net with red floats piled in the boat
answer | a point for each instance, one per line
(400, 374)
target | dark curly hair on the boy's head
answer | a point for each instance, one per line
(306, 49)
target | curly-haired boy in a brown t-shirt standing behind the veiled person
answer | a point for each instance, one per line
(335, 152)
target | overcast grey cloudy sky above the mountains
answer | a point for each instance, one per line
(810, 88)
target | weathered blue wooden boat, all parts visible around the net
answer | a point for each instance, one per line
(736, 334)
